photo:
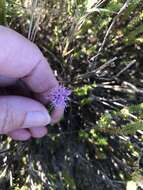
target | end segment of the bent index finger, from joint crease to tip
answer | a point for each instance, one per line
(40, 80)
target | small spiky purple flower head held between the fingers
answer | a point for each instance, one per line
(59, 96)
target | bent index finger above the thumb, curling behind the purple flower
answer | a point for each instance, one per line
(19, 58)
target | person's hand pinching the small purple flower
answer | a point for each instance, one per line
(22, 118)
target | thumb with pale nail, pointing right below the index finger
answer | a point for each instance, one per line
(19, 112)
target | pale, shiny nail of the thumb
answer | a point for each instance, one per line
(36, 119)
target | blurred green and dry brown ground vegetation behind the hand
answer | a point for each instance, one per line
(95, 47)
